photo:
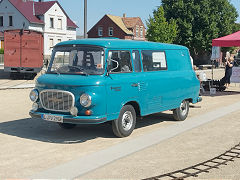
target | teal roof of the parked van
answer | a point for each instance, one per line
(119, 43)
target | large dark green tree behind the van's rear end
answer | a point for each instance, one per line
(200, 21)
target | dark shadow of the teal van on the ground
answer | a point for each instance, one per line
(40, 130)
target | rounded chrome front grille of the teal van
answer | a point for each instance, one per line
(56, 100)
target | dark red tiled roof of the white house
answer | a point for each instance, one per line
(40, 8)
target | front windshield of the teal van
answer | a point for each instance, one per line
(85, 60)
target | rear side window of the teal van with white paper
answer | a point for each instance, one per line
(154, 60)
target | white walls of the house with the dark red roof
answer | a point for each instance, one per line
(55, 33)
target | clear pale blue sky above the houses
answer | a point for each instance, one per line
(98, 8)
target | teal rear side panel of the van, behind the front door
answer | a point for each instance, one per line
(166, 89)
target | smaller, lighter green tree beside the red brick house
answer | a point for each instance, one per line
(159, 30)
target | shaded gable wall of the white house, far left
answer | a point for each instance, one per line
(6, 10)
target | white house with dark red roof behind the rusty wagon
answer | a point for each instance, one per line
(47, 17)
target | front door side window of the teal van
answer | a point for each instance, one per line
(119, 61)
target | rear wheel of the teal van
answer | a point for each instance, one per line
(181, 113)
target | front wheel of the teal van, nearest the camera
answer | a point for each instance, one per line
(125, 124)
